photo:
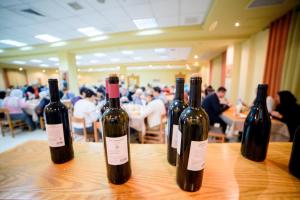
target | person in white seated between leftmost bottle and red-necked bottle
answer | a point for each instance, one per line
(85, 108)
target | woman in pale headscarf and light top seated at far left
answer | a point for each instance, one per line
(15, 103)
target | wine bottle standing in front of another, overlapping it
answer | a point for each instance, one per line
(192, 140)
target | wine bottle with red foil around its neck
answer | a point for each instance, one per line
(116, 136)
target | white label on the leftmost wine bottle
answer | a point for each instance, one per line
(55, 134)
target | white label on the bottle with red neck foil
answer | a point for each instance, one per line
(117, 150)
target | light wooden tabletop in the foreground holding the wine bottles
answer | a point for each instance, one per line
(26, 172)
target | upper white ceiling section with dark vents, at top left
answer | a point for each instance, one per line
(62, 21)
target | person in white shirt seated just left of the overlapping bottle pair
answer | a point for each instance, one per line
(153, 111)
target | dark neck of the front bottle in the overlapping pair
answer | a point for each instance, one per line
(195, 94)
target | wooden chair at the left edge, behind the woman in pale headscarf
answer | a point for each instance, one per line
(11, 124)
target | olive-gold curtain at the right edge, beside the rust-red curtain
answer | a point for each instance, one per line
(291, 67)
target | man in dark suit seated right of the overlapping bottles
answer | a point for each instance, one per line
(214, 108)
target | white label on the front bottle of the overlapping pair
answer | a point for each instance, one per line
(197, 155)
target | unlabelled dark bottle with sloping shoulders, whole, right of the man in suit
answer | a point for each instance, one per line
(257, 126)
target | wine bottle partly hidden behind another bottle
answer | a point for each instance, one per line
(175, 109)
